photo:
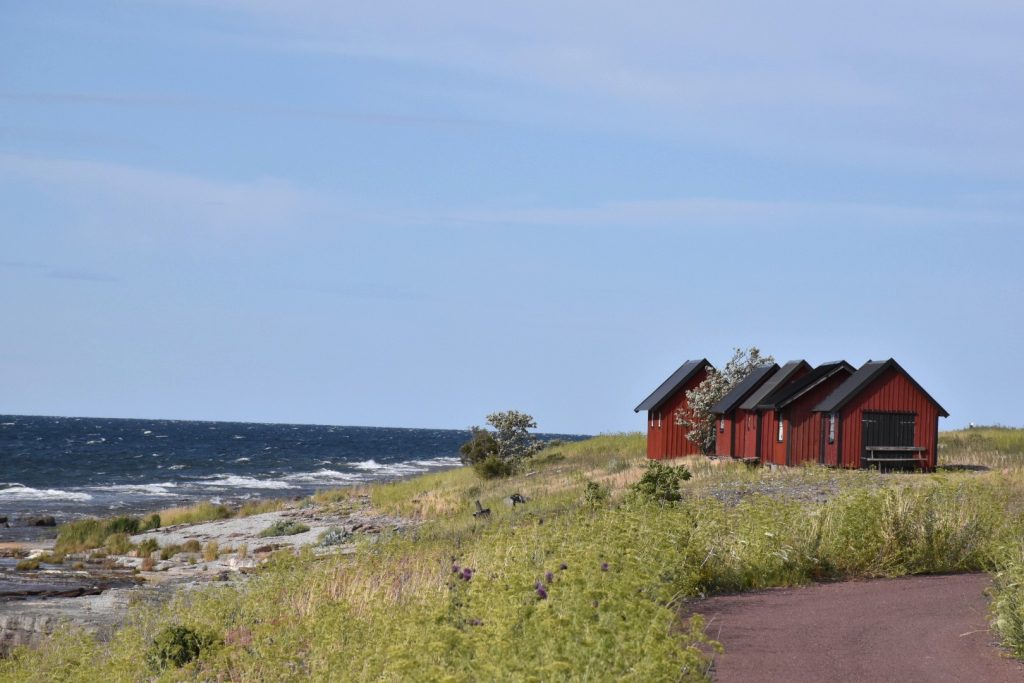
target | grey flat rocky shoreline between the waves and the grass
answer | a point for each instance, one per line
(93, 591)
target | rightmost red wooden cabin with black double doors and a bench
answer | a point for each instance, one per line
(880, 417)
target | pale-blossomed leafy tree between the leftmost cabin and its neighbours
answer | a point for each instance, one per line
(698, 417)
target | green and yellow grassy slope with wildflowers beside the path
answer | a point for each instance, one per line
(398, 612)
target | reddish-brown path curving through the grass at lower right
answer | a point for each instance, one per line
(916, 629)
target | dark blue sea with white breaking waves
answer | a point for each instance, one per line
(77, 467)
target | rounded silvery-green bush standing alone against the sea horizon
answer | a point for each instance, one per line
(498, 452)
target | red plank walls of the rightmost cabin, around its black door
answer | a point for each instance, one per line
(892, 393)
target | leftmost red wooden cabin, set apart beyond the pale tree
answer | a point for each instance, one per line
(665, 438)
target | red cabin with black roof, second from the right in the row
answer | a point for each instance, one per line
(796, 436)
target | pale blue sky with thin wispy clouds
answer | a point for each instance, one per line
(415, 215)
